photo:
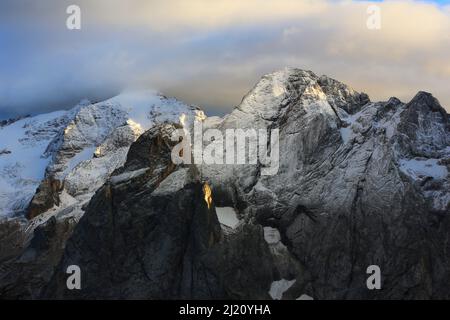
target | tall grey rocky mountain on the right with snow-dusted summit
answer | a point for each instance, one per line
(344, 197)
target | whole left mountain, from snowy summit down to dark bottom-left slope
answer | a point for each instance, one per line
(55, 163)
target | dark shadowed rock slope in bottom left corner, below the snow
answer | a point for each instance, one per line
(27, 261)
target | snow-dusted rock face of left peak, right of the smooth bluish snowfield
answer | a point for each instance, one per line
(95, 142)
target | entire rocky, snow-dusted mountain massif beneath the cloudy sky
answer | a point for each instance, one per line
(359, 183)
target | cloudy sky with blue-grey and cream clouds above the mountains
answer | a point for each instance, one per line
(211, 52)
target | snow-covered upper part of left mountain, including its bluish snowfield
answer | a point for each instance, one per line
(74, 151)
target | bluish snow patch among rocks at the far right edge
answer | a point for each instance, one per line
(416, 168)
